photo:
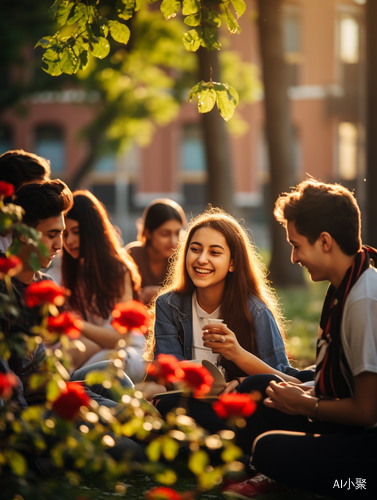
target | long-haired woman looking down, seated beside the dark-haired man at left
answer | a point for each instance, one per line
(99, 273)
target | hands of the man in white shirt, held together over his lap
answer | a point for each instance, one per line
(288, 398)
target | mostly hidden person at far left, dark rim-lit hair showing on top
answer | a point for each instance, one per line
(18, 168)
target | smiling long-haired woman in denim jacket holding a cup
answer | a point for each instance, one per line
(217, 274)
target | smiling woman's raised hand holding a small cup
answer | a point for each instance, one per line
(221, 340)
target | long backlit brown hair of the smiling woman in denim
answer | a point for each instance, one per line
(248, 278)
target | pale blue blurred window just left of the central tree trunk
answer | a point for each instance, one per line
(192, 149)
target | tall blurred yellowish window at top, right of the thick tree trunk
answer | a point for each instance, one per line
(292, 43)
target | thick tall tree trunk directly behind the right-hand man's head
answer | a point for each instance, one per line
(279, 135)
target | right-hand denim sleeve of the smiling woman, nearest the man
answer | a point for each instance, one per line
(269, 344)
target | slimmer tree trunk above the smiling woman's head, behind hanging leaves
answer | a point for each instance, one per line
(220, 182)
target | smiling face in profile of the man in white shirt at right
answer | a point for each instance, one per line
(306, 254)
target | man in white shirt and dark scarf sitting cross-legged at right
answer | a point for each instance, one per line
(332, 427)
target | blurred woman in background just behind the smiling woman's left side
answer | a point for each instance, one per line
(158, 235)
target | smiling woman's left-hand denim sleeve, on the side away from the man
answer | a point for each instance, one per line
(167, 331)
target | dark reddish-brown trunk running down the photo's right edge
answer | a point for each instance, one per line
(371, 124)
